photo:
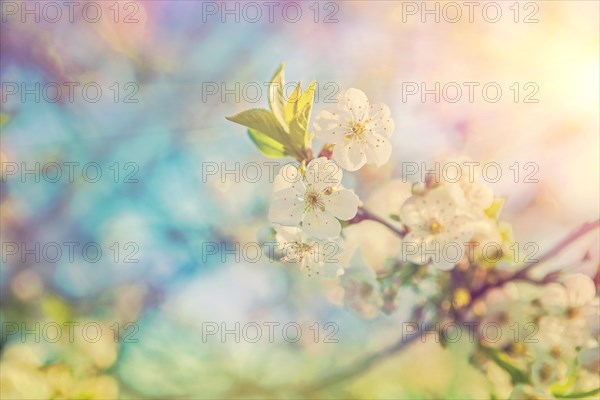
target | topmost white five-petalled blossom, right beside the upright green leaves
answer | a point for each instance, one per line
(360, 131)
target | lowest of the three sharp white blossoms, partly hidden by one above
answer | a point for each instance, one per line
(308, 254)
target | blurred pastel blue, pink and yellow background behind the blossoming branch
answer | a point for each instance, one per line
(169, 72)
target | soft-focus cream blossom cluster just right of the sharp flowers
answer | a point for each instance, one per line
(449, 221)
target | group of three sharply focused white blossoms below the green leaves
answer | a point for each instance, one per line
(308, 201)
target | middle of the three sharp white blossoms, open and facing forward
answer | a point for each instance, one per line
(315, 199)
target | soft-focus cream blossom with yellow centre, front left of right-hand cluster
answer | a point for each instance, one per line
(437, 231)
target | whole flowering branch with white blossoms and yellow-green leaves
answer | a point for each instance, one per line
(548, 342)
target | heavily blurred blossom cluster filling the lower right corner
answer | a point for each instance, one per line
(551, 340)
